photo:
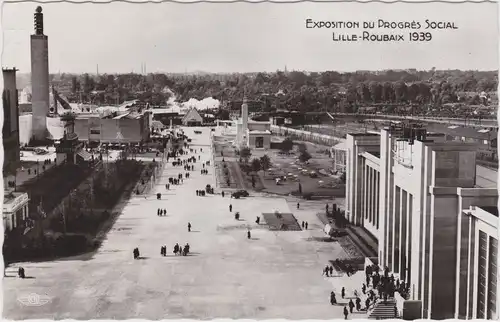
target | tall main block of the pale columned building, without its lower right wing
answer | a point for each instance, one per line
(409, 189)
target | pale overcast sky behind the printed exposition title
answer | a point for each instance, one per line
(244, 37)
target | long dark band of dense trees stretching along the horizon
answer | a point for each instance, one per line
(293, 90)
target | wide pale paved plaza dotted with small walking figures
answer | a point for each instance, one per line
(276, 274)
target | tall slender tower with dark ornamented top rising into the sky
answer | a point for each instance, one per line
(39, 77)
